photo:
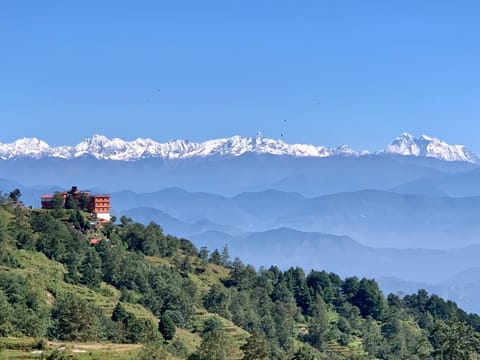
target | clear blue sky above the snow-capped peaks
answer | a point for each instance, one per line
(354, 72)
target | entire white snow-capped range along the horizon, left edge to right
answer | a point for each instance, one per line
(104, 148)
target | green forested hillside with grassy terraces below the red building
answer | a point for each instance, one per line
(64, 283)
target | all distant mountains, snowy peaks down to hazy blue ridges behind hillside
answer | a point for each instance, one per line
(406, 214)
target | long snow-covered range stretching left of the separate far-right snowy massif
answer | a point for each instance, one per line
(102, 147)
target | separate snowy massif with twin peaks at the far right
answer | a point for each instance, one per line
(425, 146)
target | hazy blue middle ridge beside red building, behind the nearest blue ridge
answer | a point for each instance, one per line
(372, 217)
